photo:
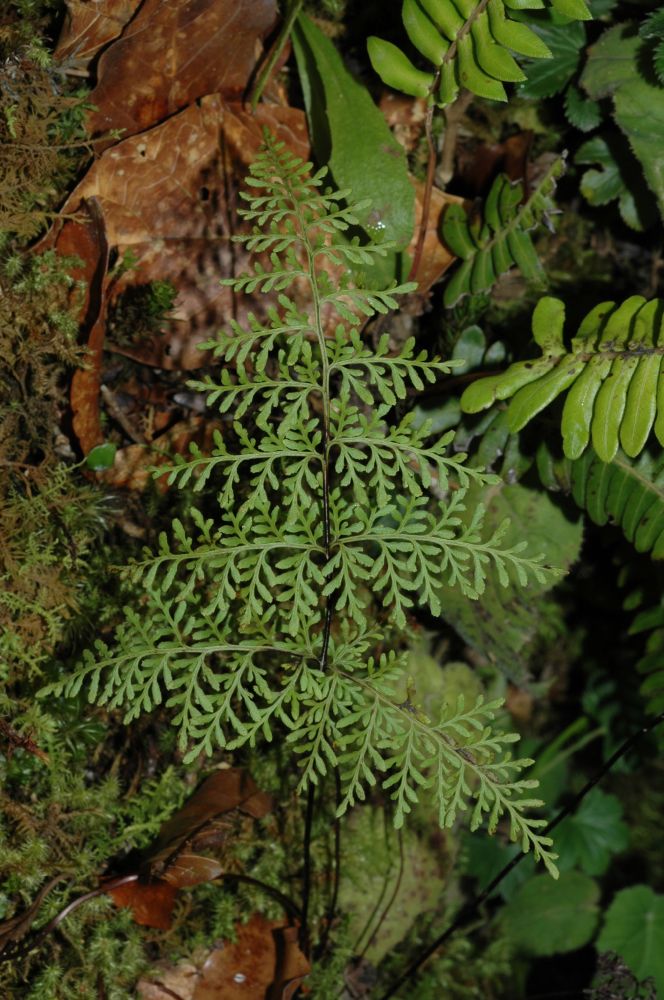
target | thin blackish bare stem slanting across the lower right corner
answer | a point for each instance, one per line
(468, 911)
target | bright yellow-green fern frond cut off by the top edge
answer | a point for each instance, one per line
(468, 43)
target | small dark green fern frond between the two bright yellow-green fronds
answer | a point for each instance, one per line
(490, 247)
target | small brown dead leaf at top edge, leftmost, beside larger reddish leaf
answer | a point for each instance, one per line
(88, 27)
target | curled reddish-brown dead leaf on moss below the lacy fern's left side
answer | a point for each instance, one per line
(168, 865)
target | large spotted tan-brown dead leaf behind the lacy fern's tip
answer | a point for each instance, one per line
(163, 197)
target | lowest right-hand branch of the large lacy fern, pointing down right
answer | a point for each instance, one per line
(457, 761)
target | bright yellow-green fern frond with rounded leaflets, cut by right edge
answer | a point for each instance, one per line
(612, 372)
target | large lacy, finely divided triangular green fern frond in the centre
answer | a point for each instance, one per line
(263, 615)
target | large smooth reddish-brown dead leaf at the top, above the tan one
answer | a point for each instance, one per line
(171, 54)
